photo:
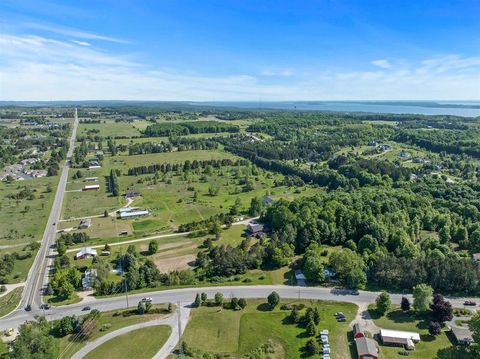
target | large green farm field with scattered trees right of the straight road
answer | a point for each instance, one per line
(173, 198)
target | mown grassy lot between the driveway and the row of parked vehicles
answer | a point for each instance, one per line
(216, 330)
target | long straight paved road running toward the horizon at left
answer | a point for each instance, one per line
(38, 274)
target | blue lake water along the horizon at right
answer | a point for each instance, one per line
(458, 108)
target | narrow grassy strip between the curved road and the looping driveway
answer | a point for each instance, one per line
(114, 320)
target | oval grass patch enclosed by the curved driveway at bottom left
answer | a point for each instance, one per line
(139, 344)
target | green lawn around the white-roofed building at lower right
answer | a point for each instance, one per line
(429, 346)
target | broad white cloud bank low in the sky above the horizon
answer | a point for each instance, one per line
(41, 68)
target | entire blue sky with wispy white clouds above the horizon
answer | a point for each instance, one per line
(239, 50)
